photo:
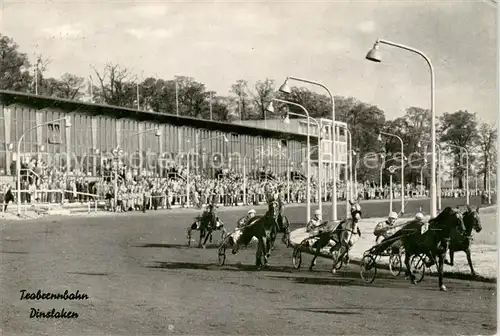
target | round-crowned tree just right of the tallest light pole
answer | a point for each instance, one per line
(457, 130)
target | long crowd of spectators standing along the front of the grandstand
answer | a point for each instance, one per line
(123, 189)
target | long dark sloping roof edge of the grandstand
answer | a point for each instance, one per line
(41, 102)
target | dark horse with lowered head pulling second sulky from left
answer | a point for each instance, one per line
(259, 227)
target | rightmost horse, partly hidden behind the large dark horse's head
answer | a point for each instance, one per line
(462, 241)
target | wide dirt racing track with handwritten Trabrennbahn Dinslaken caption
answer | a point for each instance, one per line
(142, 279)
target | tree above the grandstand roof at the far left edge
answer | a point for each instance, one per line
(14, 66)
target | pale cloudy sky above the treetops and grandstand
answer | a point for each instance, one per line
(218, 43)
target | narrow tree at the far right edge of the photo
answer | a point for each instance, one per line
(487, 151)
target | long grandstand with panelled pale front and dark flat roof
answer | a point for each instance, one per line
(99, 131)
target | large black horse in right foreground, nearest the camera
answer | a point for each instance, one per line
(434, 242)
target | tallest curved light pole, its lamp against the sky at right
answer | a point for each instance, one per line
(374, 55)
